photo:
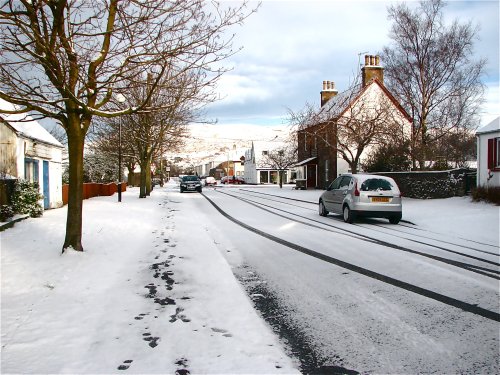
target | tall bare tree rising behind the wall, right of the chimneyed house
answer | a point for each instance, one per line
(430, 68)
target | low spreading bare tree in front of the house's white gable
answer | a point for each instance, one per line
(357, 120)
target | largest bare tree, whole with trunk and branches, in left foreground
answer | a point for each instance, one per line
(67, 59)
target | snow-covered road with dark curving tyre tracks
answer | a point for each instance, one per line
(370, 297)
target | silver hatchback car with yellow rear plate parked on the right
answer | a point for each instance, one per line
(354, 195)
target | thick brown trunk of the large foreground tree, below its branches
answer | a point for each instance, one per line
(73, 237)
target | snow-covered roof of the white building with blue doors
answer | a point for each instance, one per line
(25, 125)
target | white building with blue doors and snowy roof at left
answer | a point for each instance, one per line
(28, 151)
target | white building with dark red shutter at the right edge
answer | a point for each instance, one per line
(488, 154)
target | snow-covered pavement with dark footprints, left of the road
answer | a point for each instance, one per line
(150, 294)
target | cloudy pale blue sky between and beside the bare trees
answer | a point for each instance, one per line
(291, 47)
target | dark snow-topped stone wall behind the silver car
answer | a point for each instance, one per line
(432, 184)
